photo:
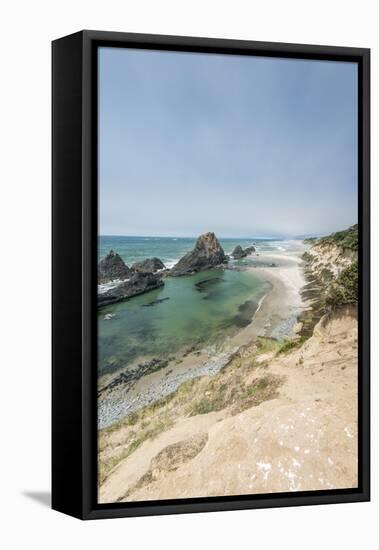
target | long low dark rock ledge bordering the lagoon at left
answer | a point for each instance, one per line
(139, 283)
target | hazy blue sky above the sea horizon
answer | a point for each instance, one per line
(242, 146)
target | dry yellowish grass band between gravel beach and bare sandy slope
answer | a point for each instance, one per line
(241, 384)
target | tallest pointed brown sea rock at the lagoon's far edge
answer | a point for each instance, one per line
(207, 253)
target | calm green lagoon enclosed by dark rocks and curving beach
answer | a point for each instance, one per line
(187, 312)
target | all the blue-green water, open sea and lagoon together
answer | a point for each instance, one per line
(188, 312)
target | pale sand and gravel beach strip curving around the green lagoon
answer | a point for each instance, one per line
(275, 317)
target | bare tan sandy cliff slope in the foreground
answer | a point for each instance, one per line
(303, 437)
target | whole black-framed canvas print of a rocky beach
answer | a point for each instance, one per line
(210, 275)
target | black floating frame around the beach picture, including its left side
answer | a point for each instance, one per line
(74, 204)
